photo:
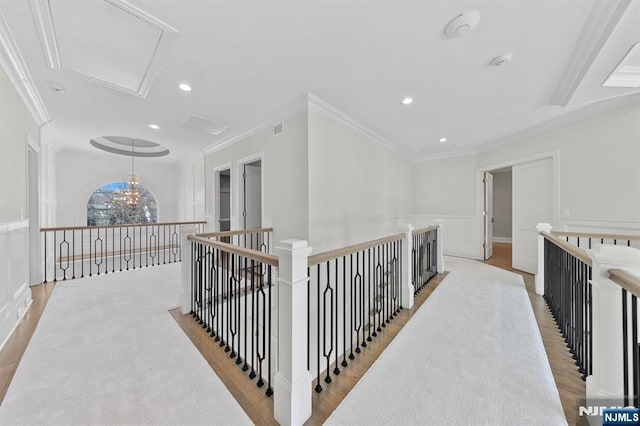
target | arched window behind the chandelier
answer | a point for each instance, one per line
(112, 204)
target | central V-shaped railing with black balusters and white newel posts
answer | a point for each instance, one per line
(290, 319)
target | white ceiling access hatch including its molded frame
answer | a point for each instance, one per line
(108, 42)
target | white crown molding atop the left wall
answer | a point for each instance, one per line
(13, 64)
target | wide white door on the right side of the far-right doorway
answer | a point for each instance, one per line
(533, 194)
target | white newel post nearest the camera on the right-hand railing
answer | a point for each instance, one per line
(607, 378)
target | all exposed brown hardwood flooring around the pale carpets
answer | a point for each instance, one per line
(260, 409)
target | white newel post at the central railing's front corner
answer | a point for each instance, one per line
(292, 383)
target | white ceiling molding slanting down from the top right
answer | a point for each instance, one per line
(603, 19)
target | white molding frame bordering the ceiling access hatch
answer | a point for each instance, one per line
(41, 11)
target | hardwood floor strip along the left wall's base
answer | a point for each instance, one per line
(11, 353)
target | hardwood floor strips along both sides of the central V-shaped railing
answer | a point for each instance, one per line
(260, 408)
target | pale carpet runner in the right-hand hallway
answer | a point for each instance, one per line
(472, 354)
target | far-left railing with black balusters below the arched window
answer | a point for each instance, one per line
(79, 251)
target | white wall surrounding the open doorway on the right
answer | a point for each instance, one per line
(597, 165)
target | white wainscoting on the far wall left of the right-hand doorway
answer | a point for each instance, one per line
(458, 232)
